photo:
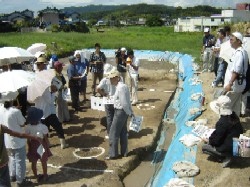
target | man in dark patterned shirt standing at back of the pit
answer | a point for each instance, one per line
(97, 61)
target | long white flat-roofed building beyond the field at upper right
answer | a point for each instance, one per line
(196, 24)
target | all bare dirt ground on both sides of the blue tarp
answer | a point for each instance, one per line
(85, 130)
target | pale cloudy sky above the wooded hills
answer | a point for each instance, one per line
(8, 6)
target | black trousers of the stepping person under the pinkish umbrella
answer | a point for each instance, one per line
(53, 121)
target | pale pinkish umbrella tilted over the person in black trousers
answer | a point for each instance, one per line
(42, 81)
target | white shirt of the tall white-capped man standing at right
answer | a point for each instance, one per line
(236, 65)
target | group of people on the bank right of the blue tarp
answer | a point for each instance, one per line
(231, 105)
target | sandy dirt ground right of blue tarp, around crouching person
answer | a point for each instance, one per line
(212, 174)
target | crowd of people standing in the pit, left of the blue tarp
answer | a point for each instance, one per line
(20, 119)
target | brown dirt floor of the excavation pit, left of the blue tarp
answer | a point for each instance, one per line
(85, 130)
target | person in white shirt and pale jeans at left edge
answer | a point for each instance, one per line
(14, 120)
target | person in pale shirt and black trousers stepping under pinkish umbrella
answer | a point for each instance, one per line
(46, 104)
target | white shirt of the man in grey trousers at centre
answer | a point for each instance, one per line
(122, 98)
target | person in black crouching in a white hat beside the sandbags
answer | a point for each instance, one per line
(220, 143)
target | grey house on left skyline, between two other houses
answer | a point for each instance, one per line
(49, 16)
